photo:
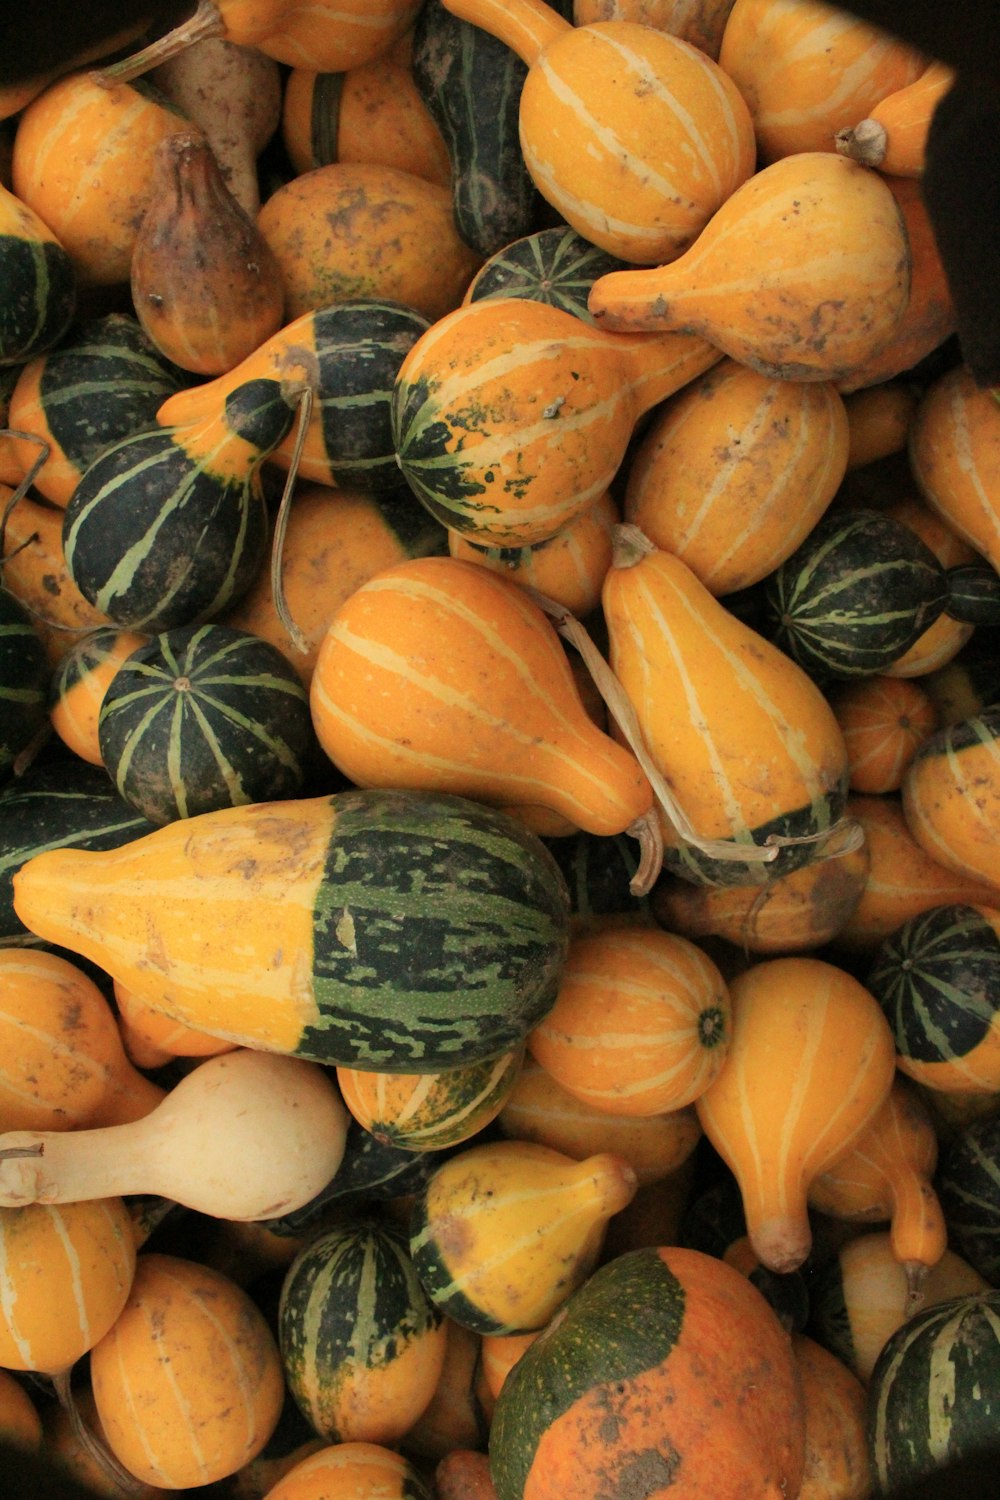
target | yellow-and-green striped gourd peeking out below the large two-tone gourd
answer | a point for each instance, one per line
(431, 1111)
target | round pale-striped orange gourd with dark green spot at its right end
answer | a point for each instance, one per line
(641, 1024)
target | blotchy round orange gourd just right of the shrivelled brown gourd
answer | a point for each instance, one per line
(356, 230)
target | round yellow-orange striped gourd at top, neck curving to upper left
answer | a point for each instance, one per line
(633, 136)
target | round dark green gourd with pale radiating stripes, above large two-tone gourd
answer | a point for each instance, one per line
(205, 718)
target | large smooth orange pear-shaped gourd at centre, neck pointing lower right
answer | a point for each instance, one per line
(442, 676)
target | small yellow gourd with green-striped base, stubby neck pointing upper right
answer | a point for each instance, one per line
(504, 1232)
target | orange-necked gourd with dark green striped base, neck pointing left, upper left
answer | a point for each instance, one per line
(350, 353)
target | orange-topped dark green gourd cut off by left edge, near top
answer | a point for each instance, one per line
(40, 283)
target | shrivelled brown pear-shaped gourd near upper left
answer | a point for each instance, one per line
(205, 281)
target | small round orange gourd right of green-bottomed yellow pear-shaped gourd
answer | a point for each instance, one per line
(885, 721)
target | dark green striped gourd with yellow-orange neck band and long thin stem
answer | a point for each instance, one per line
(169, 526)
